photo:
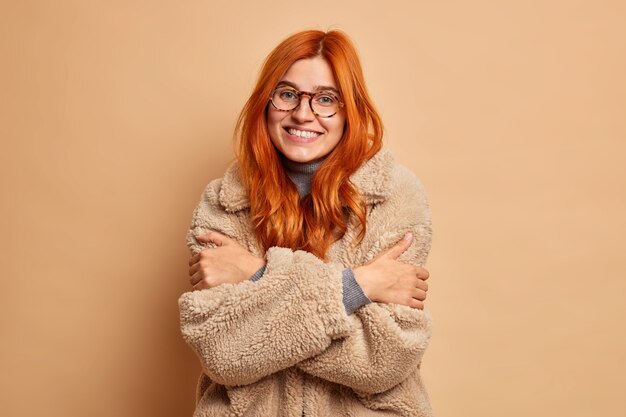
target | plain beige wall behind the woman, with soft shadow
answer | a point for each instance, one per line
(115, 114)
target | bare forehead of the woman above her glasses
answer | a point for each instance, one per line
(310, 74)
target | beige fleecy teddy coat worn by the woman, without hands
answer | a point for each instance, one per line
(284, 346)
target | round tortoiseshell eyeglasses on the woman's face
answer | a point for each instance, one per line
(322, 103)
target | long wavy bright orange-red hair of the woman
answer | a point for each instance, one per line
(279, 216)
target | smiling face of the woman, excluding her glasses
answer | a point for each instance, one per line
(299, 134)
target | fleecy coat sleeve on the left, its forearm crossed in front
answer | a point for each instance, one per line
(244, 332)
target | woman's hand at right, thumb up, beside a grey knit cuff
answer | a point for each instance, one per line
(386, 280)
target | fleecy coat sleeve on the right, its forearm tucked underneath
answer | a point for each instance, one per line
(386, 342)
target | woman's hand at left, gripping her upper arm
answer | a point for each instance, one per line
(228, 262)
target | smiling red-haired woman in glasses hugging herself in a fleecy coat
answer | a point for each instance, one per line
(307, 254)
